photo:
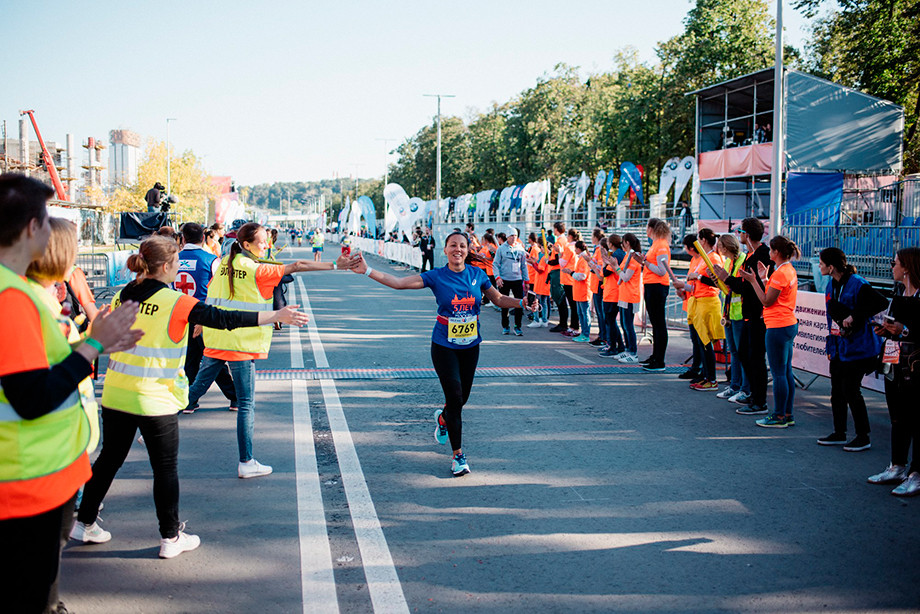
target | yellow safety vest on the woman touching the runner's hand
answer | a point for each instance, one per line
(246, 297)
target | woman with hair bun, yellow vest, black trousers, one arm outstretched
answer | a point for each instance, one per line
(146, 388)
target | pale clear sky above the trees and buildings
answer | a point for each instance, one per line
(301, 91)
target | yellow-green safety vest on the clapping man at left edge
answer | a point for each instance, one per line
(35, 448)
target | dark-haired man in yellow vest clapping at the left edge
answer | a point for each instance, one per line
(43, 425)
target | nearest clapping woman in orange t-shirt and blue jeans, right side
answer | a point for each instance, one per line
(782, 326)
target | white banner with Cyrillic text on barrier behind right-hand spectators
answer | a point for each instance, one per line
(808, 348)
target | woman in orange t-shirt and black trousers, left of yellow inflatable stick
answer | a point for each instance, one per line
(656, 283)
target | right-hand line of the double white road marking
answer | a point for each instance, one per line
(382, 580)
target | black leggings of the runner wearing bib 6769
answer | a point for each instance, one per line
(456, 369)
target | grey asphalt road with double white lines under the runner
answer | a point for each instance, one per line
(588, 492)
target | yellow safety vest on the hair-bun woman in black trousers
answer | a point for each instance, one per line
(149, 380)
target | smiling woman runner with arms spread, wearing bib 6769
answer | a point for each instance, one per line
(459, 290)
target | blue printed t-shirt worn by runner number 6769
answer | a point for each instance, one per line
(459, 295)
